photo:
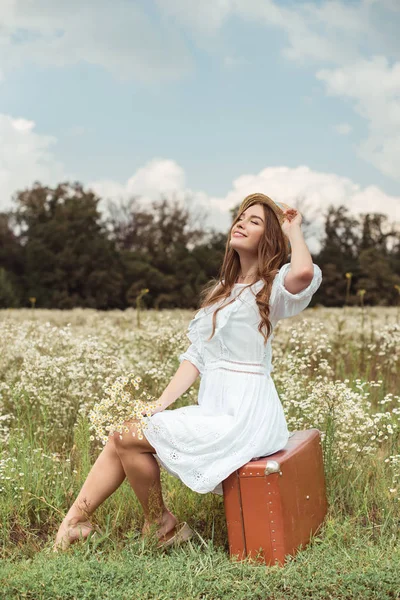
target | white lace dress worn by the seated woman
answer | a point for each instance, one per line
(239, 415)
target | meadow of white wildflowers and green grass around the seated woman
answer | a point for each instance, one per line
(334, 369)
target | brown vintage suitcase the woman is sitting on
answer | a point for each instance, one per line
(276, 503)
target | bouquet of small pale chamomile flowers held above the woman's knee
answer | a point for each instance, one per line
(121, 403)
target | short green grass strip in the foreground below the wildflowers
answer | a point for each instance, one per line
(345, 561)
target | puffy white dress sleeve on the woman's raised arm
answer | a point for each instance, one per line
(285, 304)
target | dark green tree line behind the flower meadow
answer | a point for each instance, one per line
(57, 250)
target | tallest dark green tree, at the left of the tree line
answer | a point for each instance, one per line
(69, 260)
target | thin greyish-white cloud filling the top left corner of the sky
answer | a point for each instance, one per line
(118, 36)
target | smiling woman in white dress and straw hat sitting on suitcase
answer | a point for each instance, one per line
(239, 415)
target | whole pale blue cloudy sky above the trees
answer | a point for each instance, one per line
(204, 101)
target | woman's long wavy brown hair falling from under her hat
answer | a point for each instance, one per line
(273, 252)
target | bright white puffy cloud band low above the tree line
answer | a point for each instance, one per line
(26, 156)
